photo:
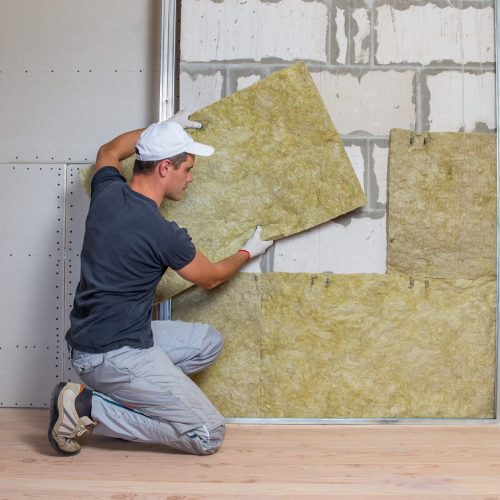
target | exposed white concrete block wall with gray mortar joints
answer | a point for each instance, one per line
(378, 64)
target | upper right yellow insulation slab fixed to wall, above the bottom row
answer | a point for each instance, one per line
(442, 204)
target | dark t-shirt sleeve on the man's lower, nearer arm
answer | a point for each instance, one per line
(176, 247)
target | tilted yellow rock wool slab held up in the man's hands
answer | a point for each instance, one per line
(279, 163)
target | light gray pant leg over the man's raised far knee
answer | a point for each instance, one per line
(191, 346)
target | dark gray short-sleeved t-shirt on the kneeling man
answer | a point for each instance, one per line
(127, 248)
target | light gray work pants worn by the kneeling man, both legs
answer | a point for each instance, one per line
(146, 395)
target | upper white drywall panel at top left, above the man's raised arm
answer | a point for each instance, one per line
(74, 74)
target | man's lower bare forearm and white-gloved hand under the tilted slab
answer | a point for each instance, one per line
(206, 274)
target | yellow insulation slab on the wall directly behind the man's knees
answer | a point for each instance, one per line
(234, 381)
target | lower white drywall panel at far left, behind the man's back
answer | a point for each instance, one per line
(32, 291)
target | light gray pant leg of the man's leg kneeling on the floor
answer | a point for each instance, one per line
(143, 397)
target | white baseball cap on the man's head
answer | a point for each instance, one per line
(166, 139)
